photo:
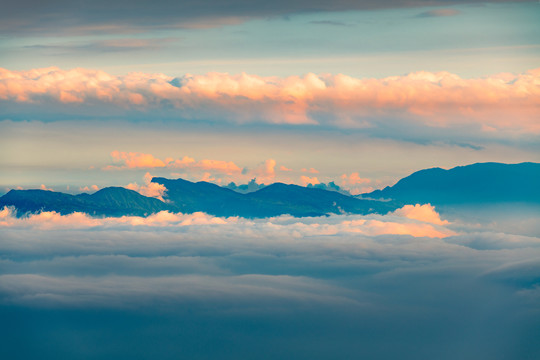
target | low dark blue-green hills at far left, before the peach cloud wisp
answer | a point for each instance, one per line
(111, 201)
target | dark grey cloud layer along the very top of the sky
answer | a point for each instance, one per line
(83, 17)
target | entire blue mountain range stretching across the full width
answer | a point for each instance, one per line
(483, 183)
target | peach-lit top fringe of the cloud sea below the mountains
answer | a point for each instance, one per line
(397, 223)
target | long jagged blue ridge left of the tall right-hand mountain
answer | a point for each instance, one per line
(188, 197)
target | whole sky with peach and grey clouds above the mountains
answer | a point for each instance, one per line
(359, 93)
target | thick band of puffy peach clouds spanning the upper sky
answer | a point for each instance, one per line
(501, 102)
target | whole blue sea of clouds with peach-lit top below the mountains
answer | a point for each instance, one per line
(404, 285)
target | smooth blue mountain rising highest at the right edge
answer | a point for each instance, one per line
(482, 183)
